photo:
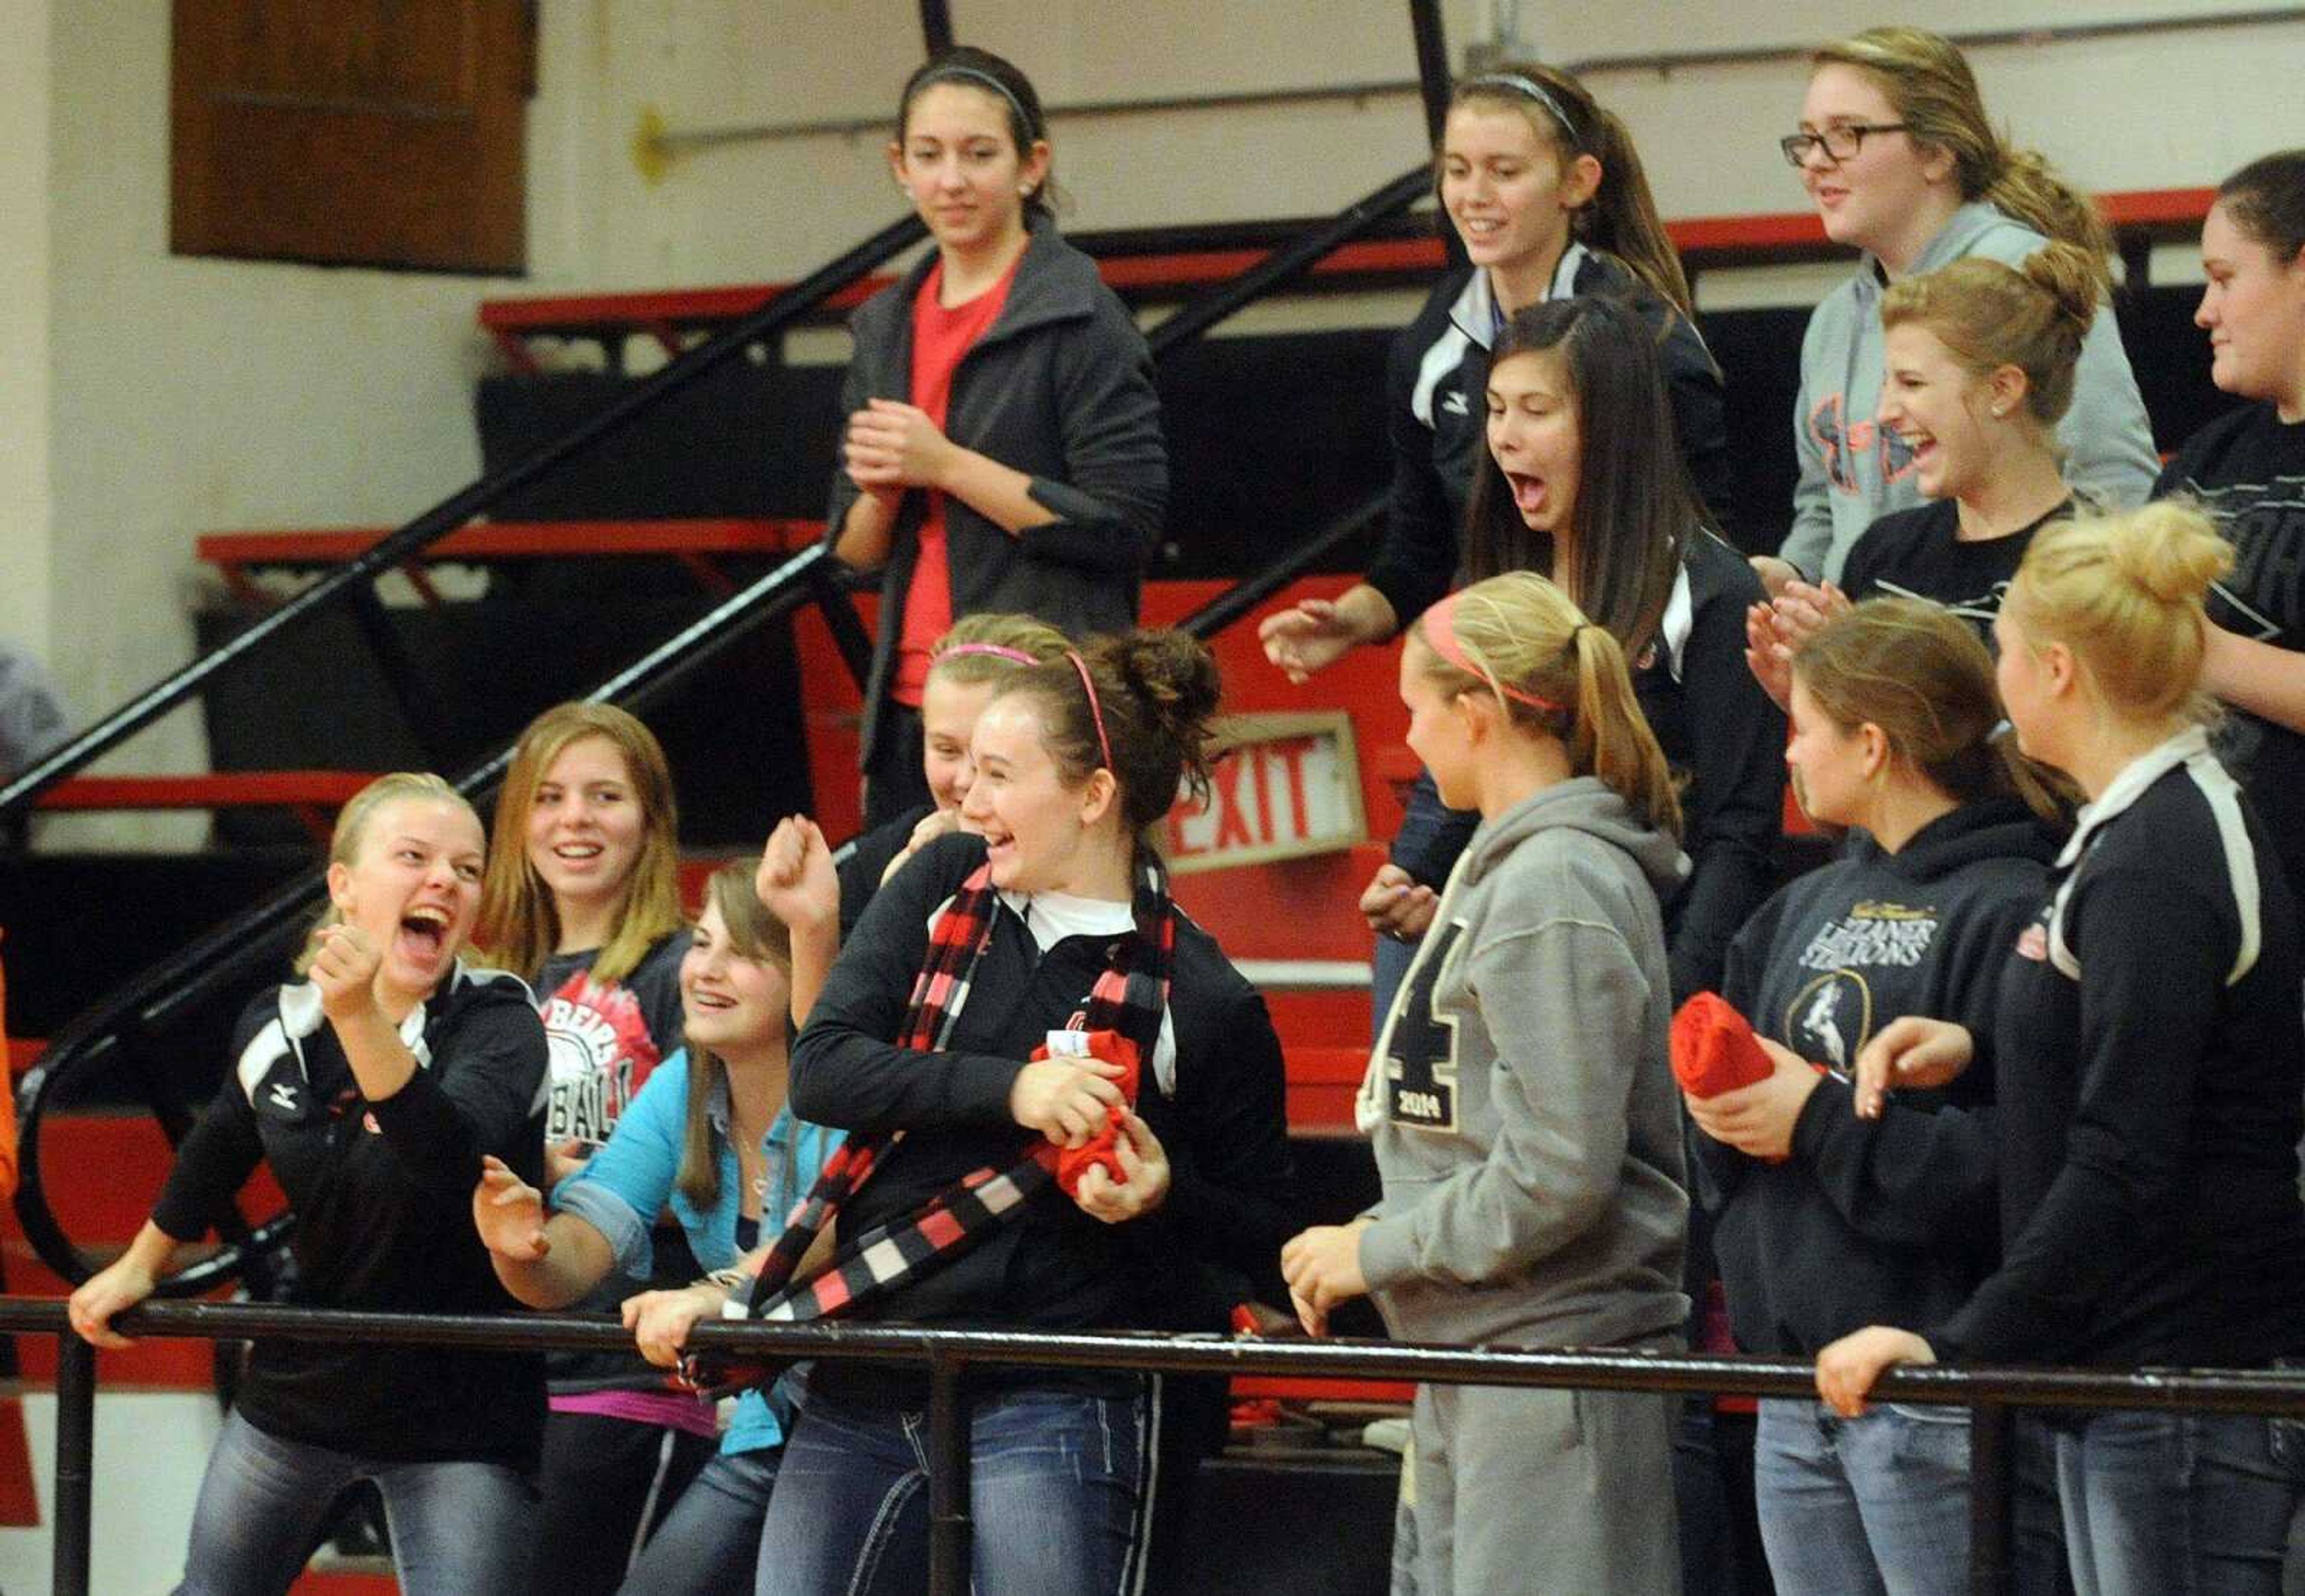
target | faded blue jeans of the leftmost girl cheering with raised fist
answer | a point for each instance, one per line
(458, 1528)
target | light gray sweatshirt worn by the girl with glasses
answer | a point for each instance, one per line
(1852, 474)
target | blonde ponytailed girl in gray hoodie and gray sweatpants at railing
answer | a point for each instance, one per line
(1522, 1108)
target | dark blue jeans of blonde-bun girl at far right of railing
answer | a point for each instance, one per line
(2175, 1505)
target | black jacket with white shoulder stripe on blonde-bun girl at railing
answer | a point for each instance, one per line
(2152, 1071)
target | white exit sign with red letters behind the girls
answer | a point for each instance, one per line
(1283, 788)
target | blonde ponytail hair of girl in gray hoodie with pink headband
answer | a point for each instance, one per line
(1525, 640)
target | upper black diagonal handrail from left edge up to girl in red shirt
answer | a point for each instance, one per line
(769, 322)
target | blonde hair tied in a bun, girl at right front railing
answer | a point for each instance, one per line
(2126, 596)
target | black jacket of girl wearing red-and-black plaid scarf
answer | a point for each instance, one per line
(1052, 1267)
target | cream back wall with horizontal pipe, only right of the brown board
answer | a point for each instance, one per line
(2119, 114)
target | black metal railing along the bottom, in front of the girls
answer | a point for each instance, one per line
(1990, 1394)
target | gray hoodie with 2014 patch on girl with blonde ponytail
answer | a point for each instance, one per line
(1520, 1097)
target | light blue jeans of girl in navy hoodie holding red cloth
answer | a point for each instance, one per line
(1875, 1505)
